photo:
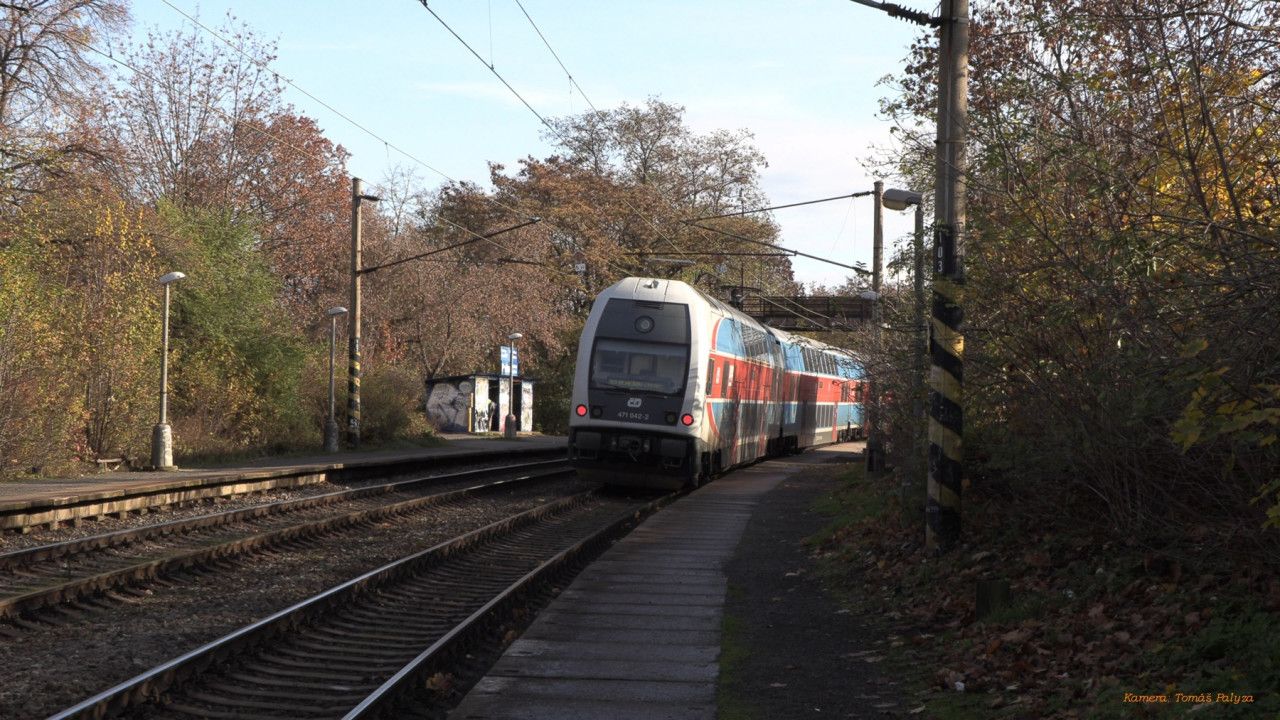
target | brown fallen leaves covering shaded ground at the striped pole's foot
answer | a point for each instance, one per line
(1085, 621)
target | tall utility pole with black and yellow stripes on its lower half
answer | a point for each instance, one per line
(947, 341)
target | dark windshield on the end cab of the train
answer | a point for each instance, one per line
(639, 367)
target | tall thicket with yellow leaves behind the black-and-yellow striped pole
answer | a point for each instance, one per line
(1121, 257)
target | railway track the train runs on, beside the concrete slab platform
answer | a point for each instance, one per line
(392, 640)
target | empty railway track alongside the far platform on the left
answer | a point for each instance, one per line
(74, 571)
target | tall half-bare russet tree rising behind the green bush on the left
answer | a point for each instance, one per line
(202, 125)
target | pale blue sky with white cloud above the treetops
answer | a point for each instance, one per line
(801, 75)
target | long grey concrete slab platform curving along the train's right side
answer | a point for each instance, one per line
(638, 635)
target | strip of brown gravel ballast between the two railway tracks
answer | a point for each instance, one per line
(48, 668)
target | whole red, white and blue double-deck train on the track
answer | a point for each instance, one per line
(674, 388)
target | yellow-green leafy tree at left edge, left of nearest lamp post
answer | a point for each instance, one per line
(80, 317)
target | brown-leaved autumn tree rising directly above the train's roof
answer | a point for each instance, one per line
(642, 174)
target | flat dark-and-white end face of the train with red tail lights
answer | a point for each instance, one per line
(636, 426)
